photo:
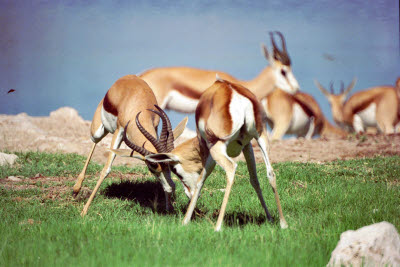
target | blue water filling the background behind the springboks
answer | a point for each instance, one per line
(58, 53)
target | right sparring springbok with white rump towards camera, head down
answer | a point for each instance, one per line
(223, 131)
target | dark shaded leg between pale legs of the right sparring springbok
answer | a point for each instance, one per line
(251, 166)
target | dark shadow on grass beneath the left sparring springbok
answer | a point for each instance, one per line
(148, 194)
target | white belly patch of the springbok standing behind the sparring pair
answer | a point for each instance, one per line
(177, 101)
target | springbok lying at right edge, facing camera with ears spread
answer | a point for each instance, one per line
(373, 107)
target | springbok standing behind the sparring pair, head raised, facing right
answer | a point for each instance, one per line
(180, 88)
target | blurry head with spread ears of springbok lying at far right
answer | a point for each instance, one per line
(336, 100)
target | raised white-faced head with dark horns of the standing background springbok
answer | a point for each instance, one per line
(281, 65)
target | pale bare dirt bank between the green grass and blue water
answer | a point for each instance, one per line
(65, 131)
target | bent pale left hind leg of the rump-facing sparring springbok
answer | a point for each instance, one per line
(218, 152)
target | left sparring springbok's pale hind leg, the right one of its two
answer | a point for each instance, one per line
(115, 143)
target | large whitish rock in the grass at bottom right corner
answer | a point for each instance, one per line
(374, 245)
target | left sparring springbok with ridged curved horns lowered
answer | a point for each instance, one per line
(126, 98)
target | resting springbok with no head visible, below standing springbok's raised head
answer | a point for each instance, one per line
(297, 114)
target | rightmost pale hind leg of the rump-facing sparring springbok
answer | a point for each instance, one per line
(262, 142)
